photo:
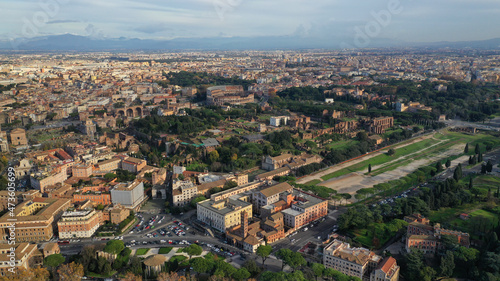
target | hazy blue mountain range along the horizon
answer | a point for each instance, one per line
(69, 42)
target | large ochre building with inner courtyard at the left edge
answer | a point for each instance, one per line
(36, 219)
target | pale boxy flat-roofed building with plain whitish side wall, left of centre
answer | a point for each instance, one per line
(130, 195)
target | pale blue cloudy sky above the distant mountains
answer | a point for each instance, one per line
(402, 20)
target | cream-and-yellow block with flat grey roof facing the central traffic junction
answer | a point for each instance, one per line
(224, 214)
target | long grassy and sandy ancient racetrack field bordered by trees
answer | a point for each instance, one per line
(352, 176)
